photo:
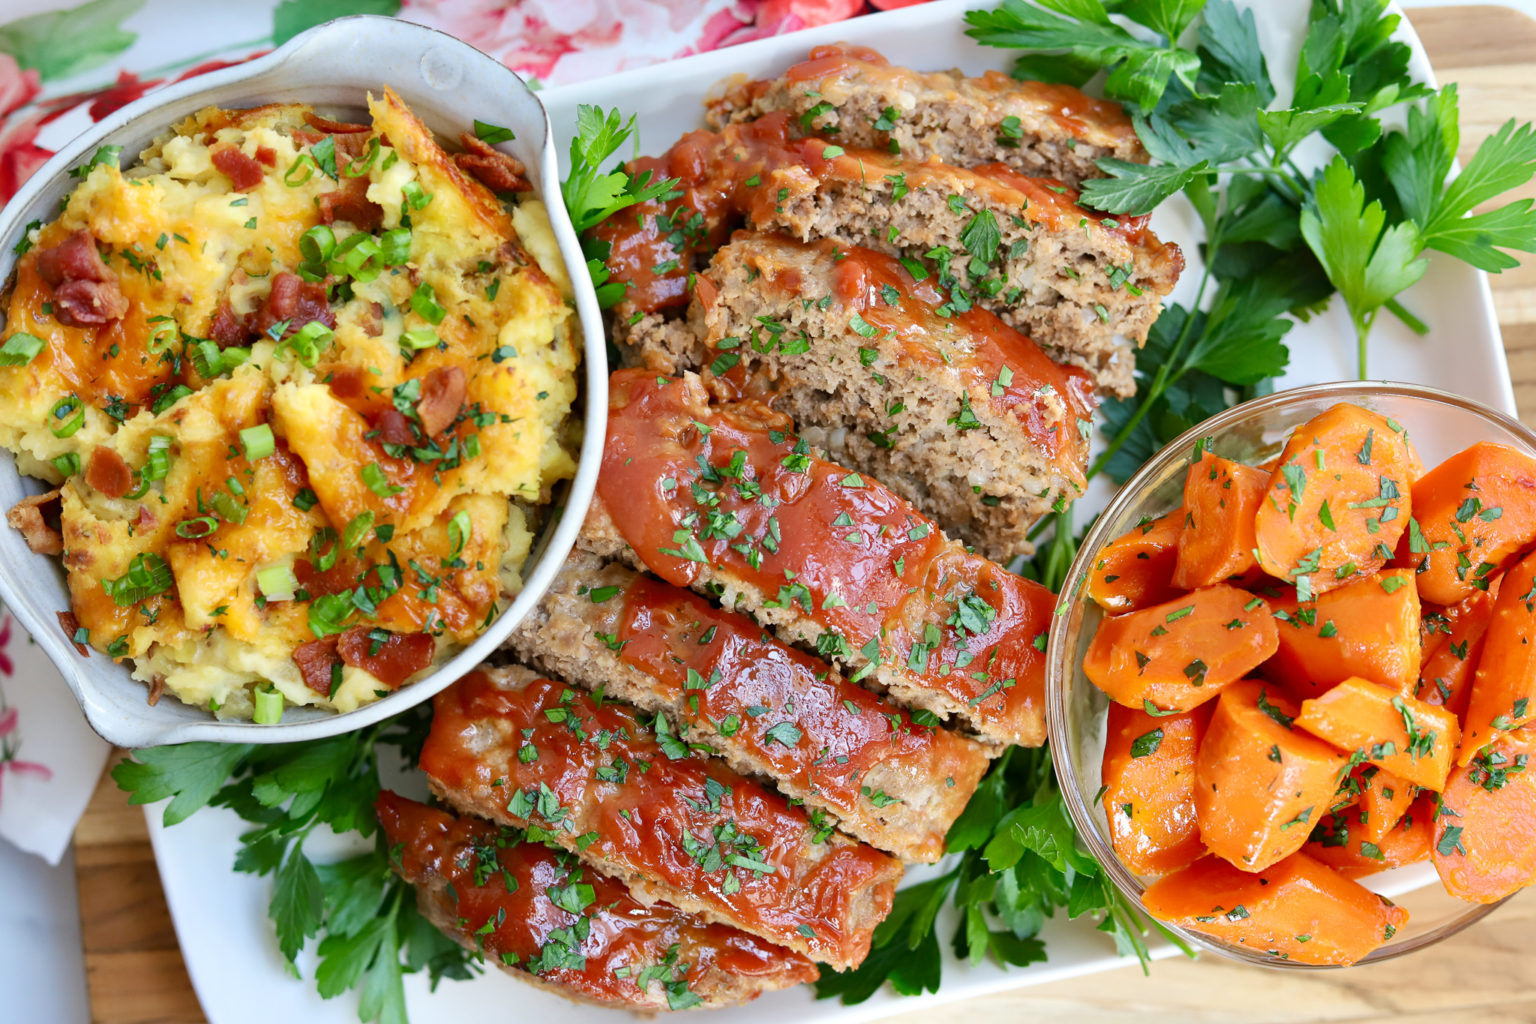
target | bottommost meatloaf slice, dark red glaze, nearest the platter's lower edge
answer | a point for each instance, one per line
(546, 919)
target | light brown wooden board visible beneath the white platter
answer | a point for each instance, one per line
(136, 974)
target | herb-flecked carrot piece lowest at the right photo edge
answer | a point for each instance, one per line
(1486, 828)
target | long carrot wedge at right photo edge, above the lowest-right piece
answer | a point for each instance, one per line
(1505, 689)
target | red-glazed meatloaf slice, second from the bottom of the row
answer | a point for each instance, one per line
(635, 802)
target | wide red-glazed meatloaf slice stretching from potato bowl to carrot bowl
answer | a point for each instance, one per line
(729, 501)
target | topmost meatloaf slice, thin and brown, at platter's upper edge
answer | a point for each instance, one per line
(855, 97)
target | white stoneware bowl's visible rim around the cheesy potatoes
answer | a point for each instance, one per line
(448, 84)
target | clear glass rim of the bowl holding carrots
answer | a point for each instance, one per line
(1061, 669)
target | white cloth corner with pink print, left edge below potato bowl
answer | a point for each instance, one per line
(50, 759)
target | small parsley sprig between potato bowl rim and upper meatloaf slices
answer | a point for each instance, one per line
(594, 196)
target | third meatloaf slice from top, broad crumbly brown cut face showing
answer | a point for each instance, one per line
(953, 411)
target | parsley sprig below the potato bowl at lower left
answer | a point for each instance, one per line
(366, 920)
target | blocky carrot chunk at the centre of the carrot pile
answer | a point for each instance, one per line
(1368, 629)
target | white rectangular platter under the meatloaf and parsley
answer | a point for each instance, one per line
(222, 919)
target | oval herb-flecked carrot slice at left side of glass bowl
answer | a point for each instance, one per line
(1182, 653)
